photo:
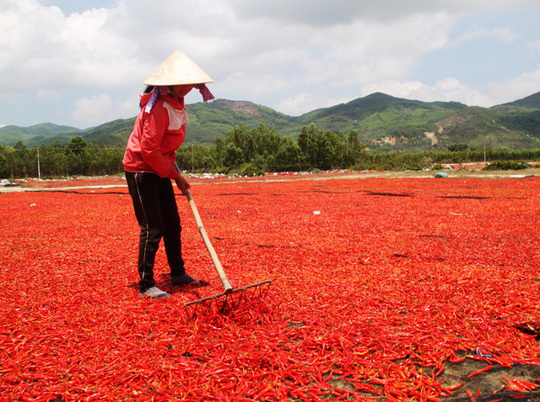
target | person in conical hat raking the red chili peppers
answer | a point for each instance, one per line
(150, 165)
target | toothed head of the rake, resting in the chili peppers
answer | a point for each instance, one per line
(230, 300)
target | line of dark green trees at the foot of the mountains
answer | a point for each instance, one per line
(244, 151)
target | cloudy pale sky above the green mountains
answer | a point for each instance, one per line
(81, 63)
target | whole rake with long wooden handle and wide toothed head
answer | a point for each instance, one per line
(224, 301)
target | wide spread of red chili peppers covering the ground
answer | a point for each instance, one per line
(378, 285)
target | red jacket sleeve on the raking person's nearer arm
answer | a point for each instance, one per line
(154, 125)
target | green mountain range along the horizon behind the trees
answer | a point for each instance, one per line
(383, 122)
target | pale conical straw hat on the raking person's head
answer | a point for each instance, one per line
(178, 69)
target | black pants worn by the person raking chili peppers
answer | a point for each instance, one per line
(157, 214)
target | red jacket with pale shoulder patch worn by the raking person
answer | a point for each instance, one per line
(156, 136)
